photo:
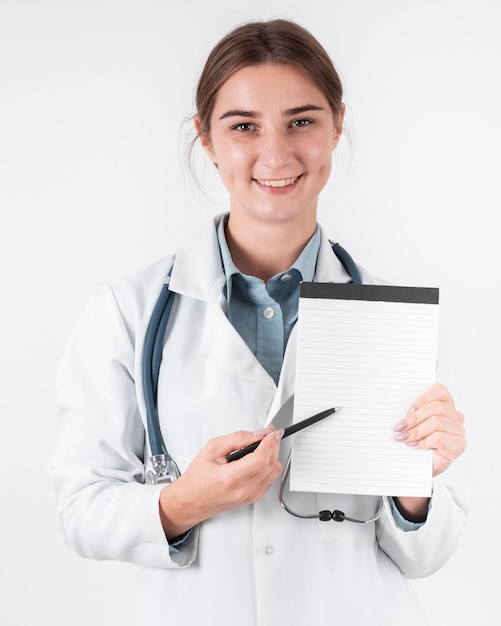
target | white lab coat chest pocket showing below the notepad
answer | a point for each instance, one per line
(357, 507)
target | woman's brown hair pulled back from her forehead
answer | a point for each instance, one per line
(255, 43)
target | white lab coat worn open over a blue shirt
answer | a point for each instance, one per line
(254, 566)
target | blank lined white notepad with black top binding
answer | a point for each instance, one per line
(372, 350)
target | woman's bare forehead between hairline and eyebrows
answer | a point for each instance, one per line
(269, 86)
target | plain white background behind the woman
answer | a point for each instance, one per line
(93, 95)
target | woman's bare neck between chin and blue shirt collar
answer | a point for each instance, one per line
(265, 249)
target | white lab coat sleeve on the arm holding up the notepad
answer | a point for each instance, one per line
(424, 551)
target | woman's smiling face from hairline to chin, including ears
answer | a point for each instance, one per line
(272, 136)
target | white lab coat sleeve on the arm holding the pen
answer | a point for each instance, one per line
(105, 511)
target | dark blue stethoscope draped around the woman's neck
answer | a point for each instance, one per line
(164, 469)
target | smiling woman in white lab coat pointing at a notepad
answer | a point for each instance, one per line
(215, 545)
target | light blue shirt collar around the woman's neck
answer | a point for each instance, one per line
(305, 264)
